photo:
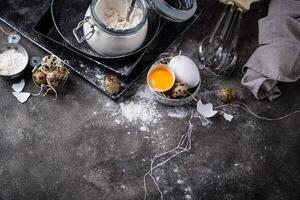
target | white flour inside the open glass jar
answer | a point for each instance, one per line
(113, 14)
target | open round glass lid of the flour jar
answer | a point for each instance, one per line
(174, 10)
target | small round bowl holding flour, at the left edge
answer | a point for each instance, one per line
(19, 49)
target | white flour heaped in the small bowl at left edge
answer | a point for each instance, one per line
(11, 62)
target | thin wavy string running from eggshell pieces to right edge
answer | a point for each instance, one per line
(245, 107)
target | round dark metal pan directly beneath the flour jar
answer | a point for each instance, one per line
(74, 13)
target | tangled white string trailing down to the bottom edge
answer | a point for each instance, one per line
(184, 145)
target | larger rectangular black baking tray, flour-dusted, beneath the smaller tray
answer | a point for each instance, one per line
(24, 15)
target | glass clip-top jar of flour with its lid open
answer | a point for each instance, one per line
(108, 32)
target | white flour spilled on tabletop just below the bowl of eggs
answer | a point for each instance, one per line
(142, 110)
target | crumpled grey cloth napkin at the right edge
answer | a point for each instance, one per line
(278, 57)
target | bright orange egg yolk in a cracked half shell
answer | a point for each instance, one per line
(161, 79)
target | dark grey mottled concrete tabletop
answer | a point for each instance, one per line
(74, 148)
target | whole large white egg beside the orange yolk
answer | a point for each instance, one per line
(186, 71)
